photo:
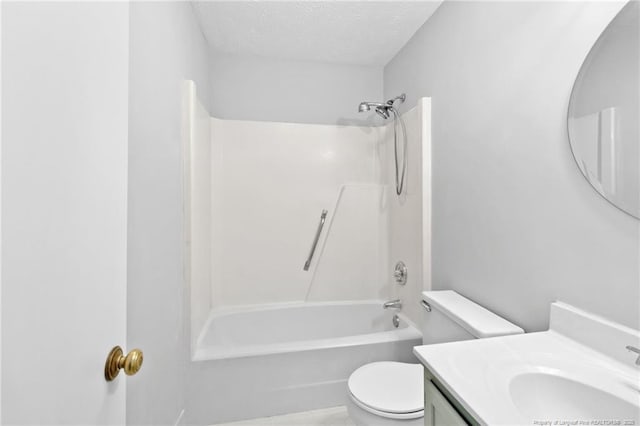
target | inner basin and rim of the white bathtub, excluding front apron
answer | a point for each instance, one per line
(272, 329)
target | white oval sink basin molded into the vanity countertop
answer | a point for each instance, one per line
(544, 396)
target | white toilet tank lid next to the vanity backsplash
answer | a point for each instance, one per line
(477, 320)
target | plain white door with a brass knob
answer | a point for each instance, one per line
(64, 210)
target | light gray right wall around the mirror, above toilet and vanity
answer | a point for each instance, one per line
(515, 225)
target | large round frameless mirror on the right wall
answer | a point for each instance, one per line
(603, 119)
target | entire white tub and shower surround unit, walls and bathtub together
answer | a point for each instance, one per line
(255, 191)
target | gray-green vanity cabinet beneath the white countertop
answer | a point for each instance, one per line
(441, 409)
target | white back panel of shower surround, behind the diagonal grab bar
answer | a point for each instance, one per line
(270, 182)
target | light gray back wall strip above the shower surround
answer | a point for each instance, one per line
(254, 88)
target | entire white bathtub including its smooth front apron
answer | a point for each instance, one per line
(268, 360)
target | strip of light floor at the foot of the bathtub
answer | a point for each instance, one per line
(335, 416)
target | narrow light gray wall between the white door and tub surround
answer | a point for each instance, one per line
(166, 47)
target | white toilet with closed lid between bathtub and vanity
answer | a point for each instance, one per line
(391, 393)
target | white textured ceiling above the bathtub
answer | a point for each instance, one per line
(347, 32)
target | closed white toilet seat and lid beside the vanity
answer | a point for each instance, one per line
(393, 390)
